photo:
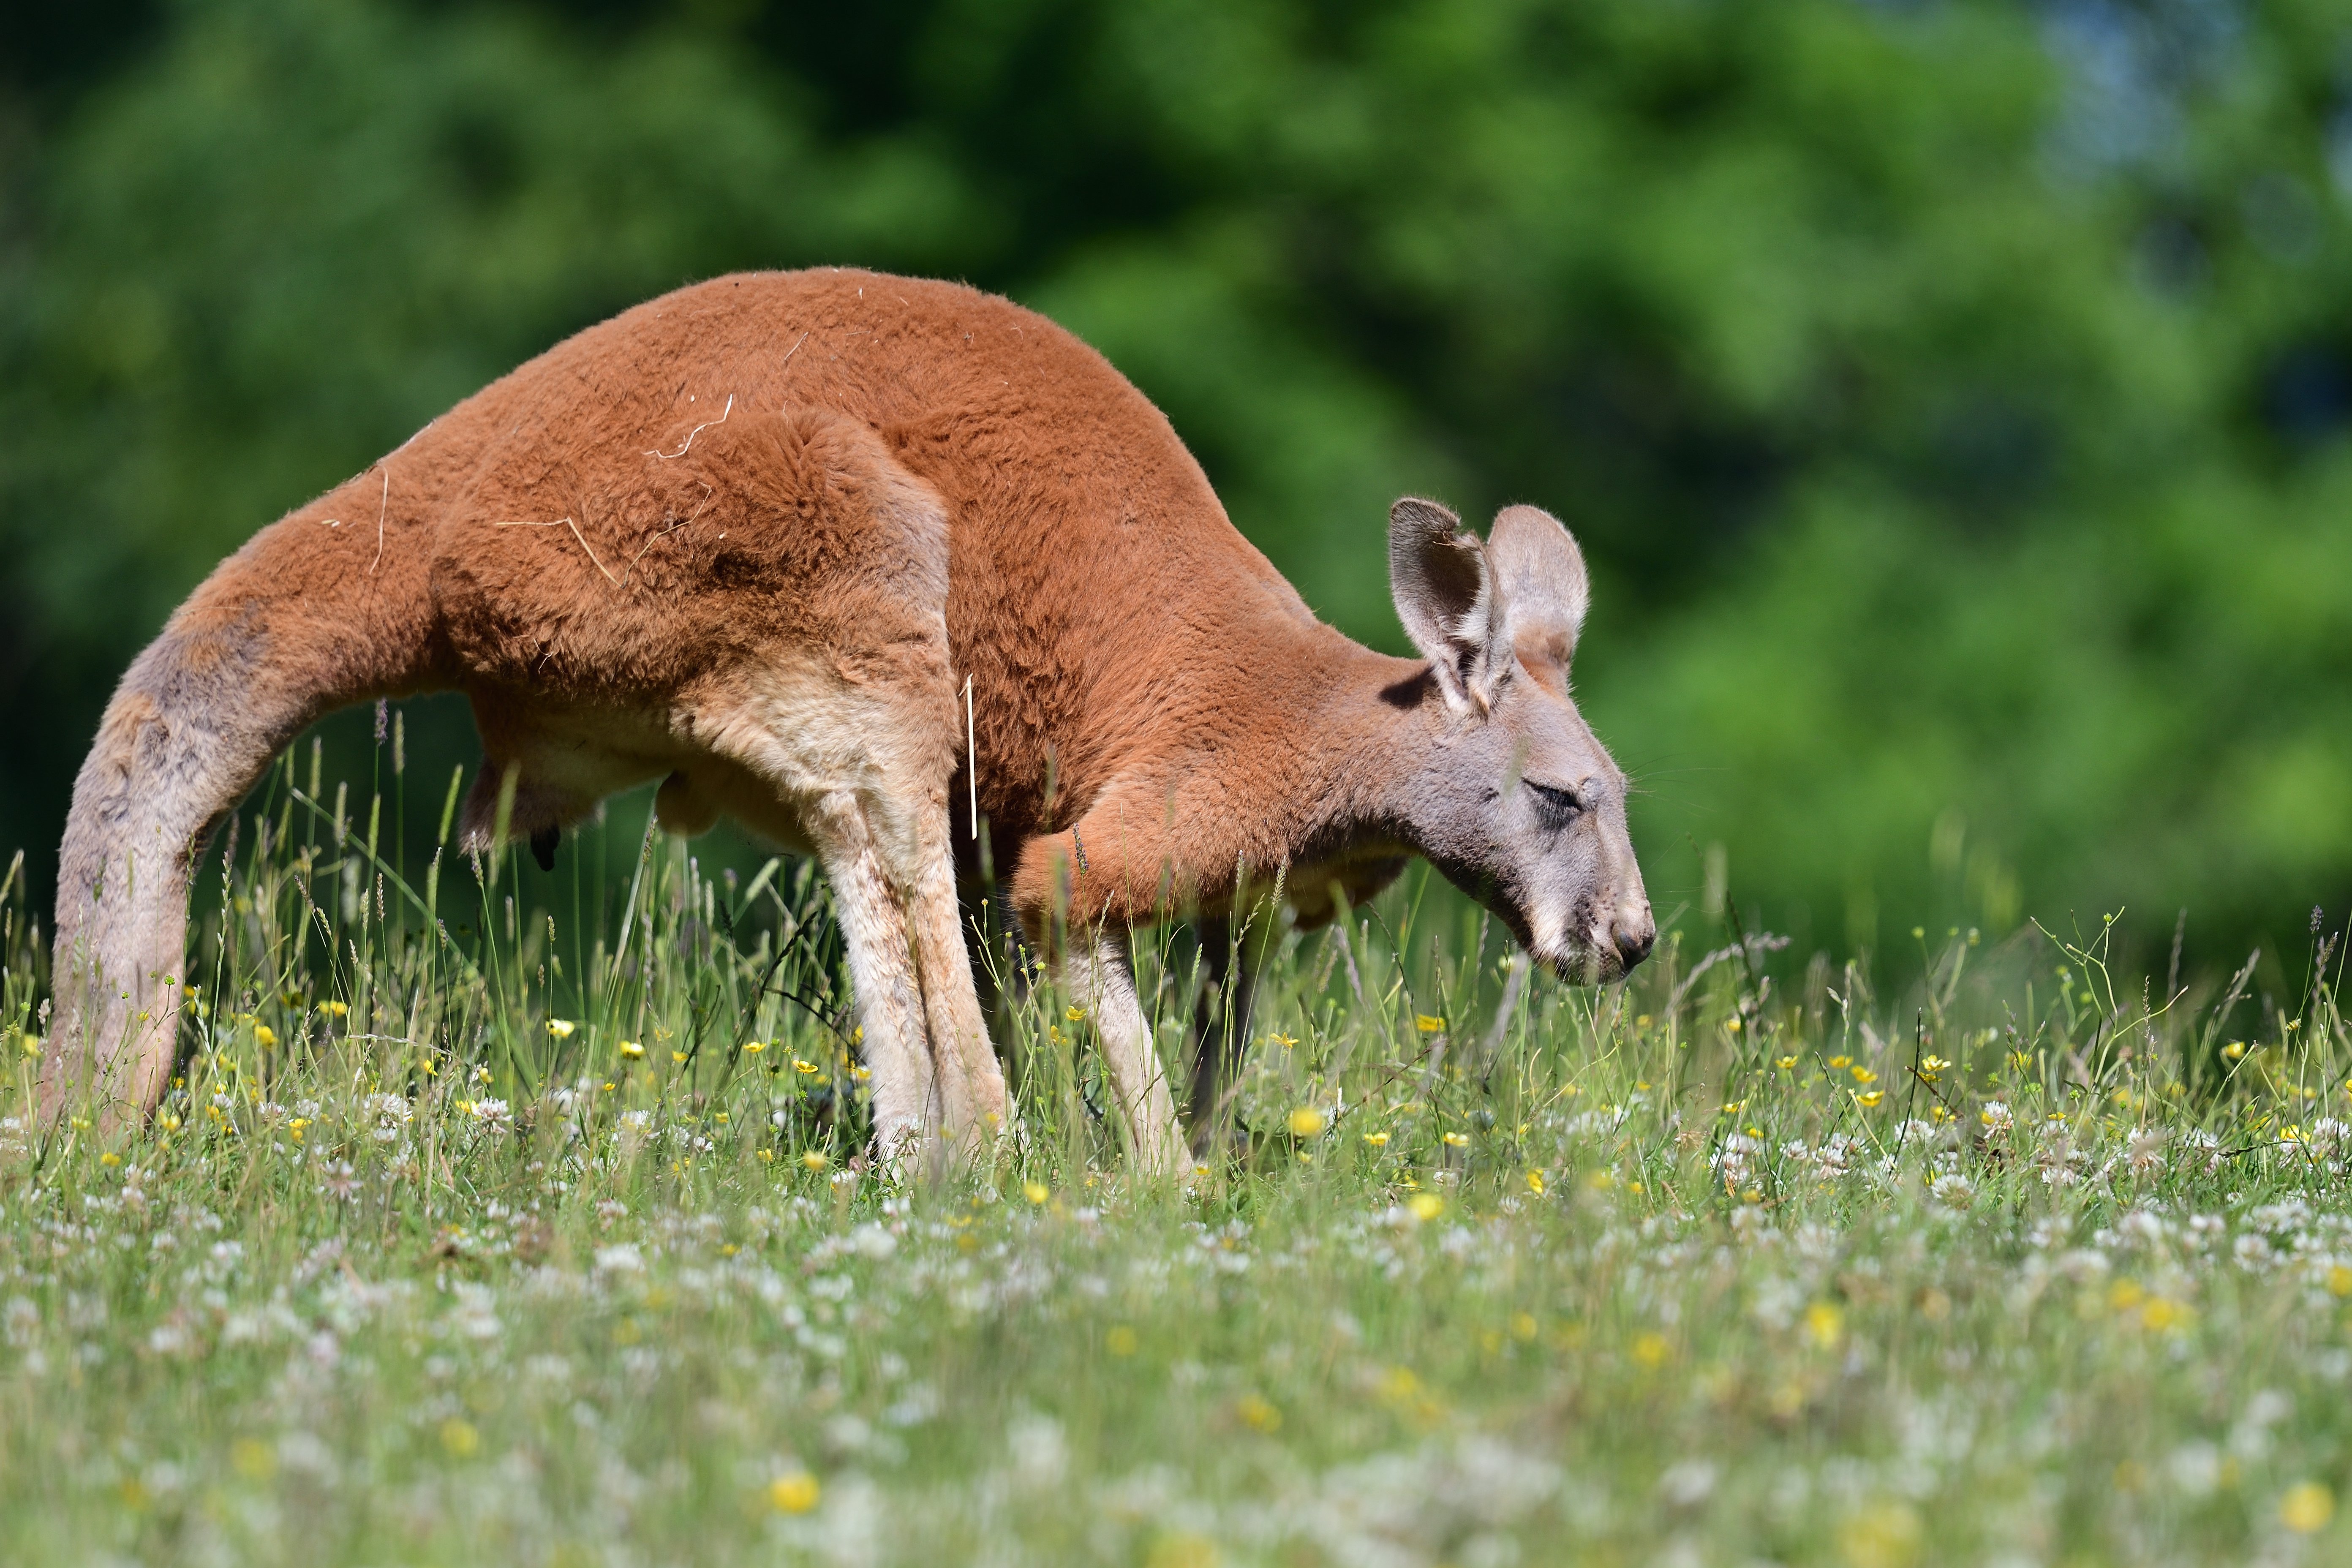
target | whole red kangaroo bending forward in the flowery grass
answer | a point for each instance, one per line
(751, 540)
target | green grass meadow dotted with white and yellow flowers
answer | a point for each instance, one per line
(2022, 1266)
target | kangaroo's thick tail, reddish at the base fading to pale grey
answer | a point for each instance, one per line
(312, 615)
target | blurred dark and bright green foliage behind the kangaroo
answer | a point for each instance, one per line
(1953, 398)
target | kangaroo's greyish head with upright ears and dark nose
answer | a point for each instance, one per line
(1516, 800)
